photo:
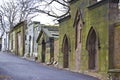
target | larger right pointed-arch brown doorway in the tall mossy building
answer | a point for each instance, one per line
(92, 49)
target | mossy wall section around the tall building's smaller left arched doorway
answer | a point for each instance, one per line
(66, 28)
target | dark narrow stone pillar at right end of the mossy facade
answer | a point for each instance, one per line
(113, 18)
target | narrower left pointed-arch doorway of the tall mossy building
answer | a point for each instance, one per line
(65, 52)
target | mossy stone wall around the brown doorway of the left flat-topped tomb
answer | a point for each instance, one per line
(13, 37)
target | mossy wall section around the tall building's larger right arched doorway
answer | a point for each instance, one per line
(98, 19)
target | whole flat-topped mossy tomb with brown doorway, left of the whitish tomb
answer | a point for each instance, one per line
(17, 38)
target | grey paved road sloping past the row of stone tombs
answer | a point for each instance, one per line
(16, 68)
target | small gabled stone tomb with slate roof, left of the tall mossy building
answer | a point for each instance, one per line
(48, 45)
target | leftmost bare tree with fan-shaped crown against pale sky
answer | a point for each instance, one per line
(9, 10)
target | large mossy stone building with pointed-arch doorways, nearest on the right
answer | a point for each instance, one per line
(97, 37)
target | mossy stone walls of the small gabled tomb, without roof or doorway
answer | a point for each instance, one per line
(47, 48)
